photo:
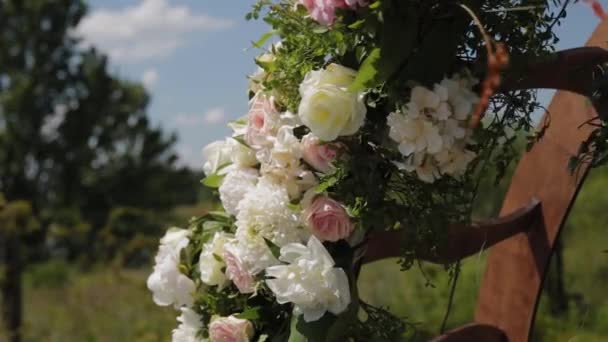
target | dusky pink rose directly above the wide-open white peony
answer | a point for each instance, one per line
(327, 219)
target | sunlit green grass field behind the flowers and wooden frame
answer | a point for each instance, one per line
(105, 304)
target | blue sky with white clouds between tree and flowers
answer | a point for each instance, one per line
(194, 57)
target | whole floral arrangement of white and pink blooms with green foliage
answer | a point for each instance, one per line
(366, 117)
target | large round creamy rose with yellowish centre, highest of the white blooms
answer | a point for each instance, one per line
(328, 108)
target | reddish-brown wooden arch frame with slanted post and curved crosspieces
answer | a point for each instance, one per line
(538, 202)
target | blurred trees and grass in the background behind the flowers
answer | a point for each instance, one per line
(89, 186)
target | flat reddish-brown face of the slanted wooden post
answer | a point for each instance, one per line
(516, 267)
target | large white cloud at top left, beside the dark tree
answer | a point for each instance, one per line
(150, 29)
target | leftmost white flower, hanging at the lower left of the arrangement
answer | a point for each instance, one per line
(168, 285)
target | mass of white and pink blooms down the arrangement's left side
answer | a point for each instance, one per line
(264, 169)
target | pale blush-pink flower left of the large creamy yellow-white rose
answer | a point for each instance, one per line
(258, 123)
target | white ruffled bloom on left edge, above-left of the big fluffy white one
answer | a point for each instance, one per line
(237, 183)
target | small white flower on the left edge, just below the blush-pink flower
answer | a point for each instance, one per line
(221, 153)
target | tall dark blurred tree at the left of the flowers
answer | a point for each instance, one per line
(75, 140)
